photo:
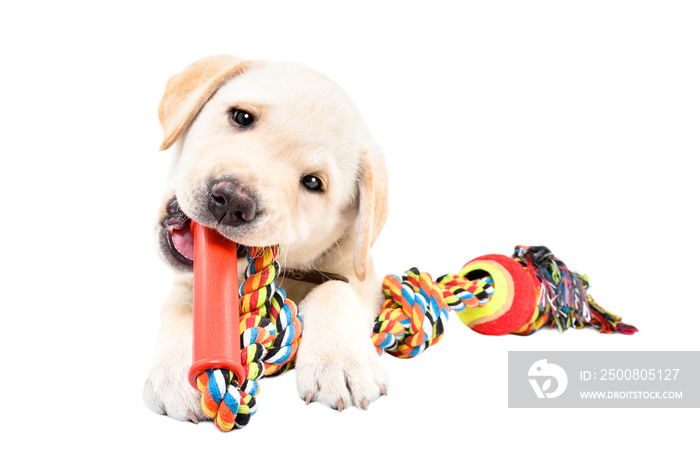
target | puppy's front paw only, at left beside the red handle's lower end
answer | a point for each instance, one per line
(167, 390)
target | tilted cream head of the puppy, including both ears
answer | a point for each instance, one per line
(269, 153)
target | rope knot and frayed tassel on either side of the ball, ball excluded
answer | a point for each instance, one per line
(414, 314)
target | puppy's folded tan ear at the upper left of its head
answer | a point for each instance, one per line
(188, 91)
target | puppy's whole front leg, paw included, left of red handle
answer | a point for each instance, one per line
(167, 390)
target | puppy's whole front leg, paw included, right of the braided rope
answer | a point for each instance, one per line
(337, 364)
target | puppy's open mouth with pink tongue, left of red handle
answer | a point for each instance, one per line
(176, 230)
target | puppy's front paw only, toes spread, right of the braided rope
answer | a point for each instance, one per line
(340, 375)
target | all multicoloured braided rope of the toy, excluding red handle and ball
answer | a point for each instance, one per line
(412, 318)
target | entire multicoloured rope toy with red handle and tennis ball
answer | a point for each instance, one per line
(493, 295)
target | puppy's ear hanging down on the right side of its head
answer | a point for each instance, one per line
(374, 207)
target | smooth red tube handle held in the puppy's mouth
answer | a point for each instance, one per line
(216, 343)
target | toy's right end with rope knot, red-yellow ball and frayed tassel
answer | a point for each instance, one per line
(493, 295)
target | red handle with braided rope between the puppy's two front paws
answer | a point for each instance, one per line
(265, 340)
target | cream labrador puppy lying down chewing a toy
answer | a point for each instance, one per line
(274, 153)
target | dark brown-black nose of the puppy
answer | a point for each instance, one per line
(230, 203)
